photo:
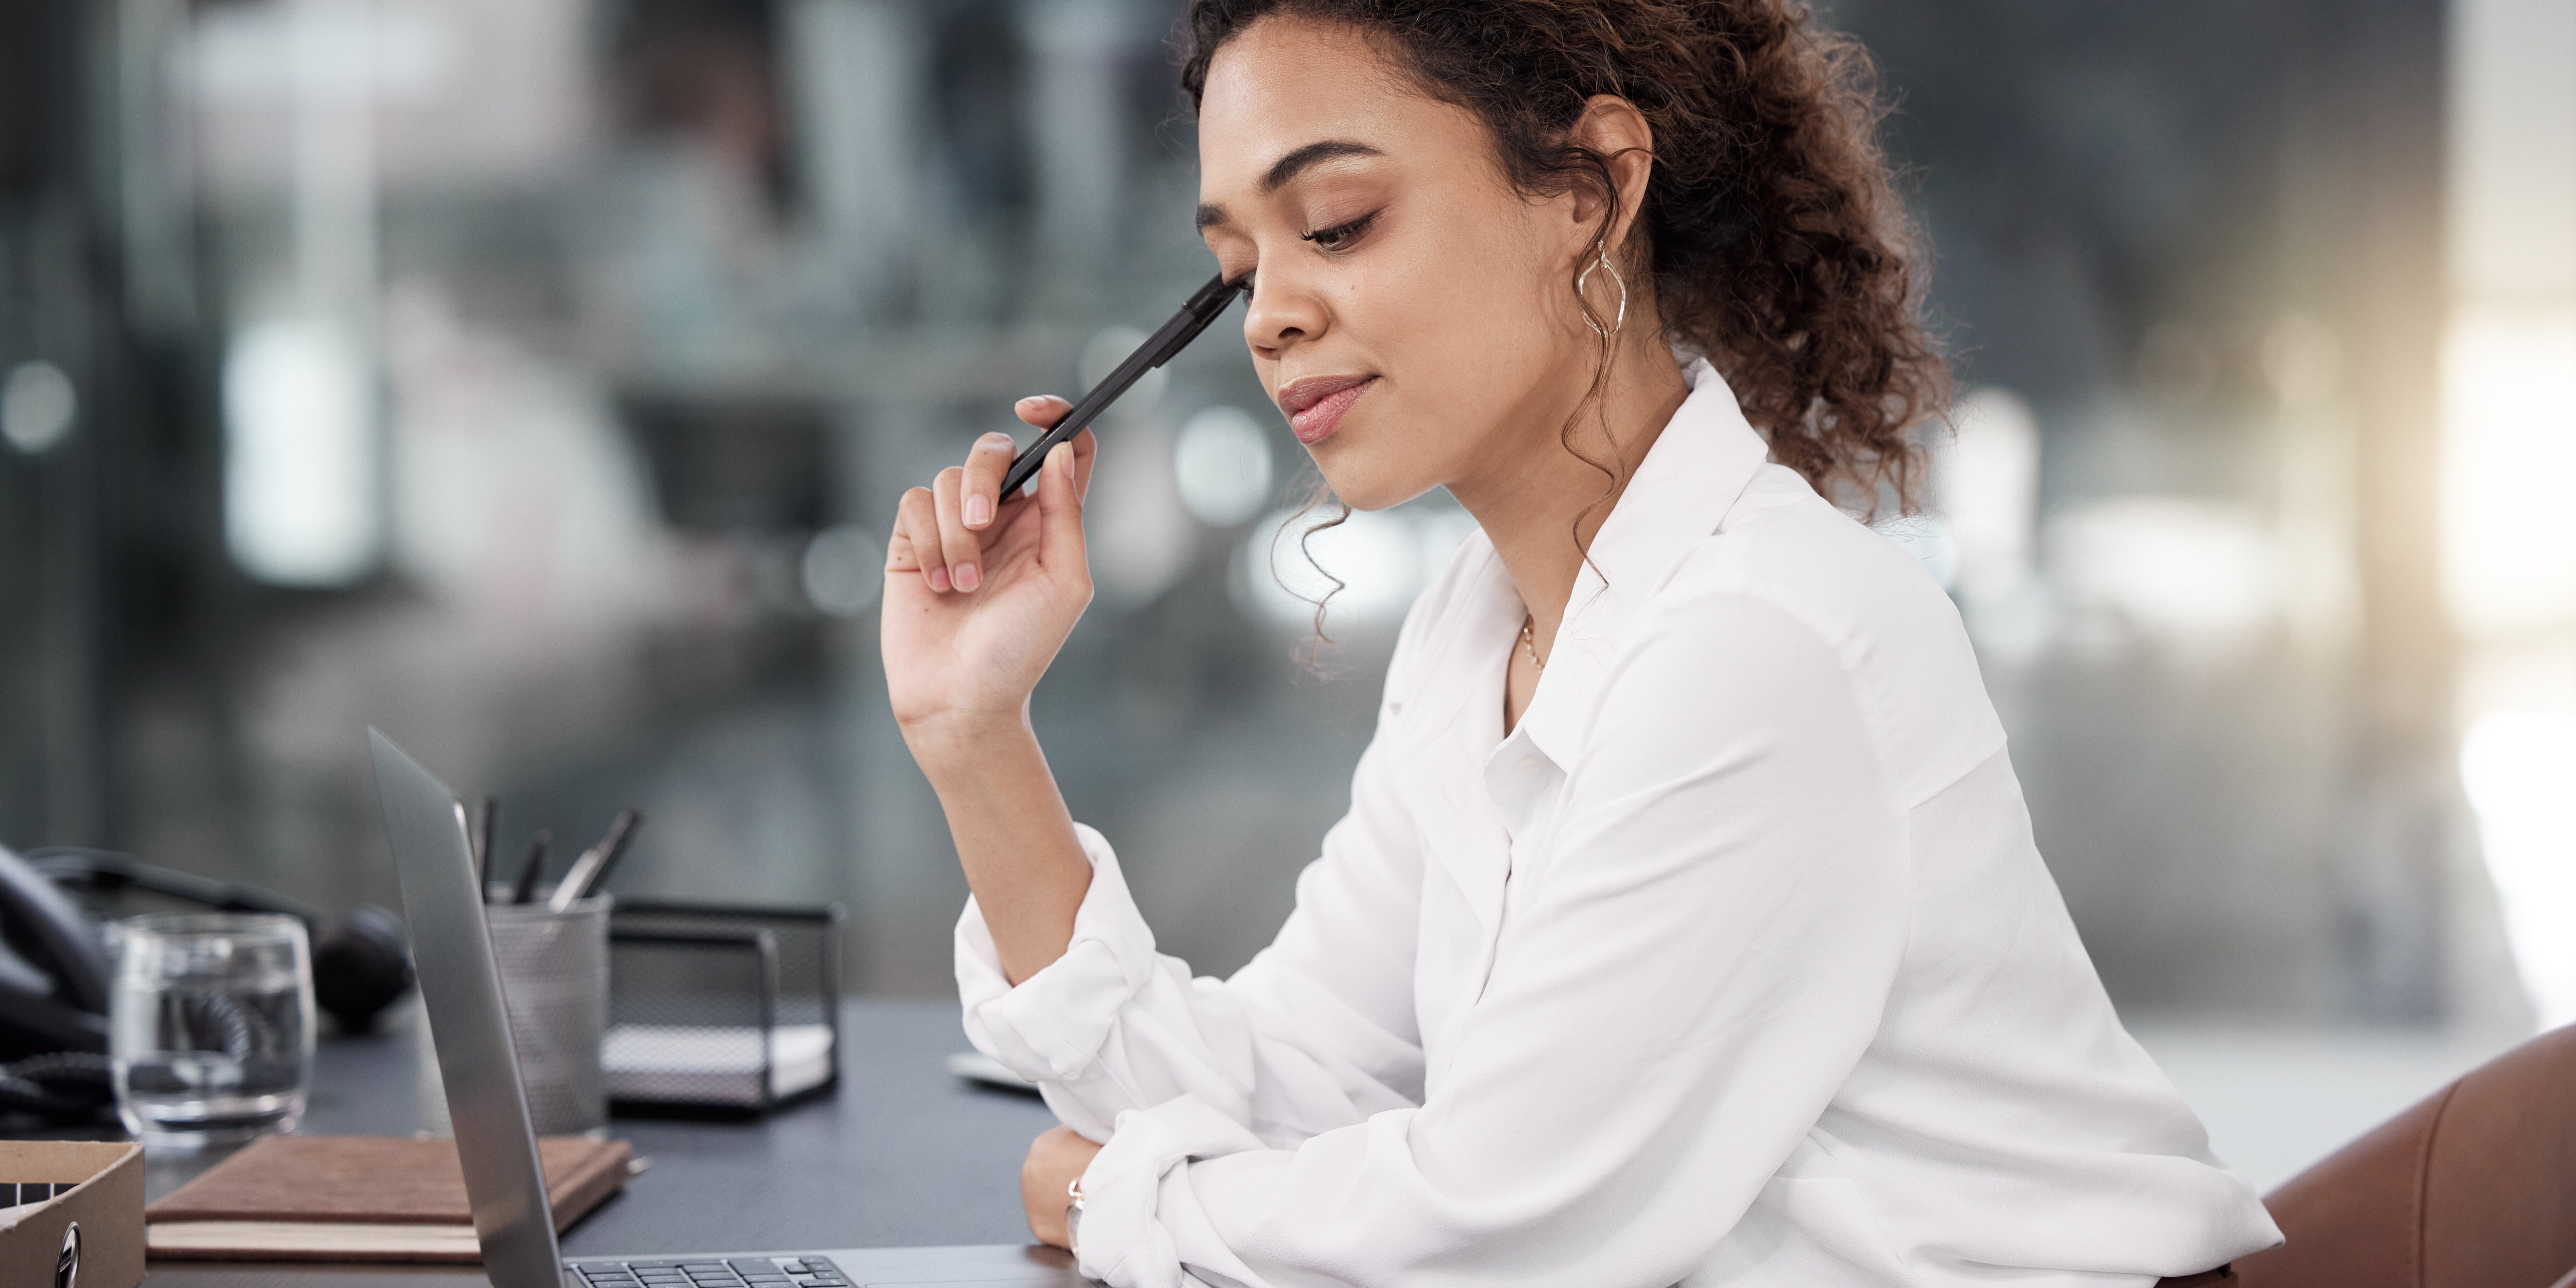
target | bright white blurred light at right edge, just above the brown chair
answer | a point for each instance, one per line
(2521, 777)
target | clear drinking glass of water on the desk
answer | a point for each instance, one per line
(213, 1027)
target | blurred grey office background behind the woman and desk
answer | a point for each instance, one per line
(537, 377)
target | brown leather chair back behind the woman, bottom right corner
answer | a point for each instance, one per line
(2472, 1189)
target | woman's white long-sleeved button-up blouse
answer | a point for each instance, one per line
(1732, 965)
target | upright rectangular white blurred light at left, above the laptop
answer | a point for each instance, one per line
(300, 455)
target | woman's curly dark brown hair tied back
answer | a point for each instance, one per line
(1771, 225)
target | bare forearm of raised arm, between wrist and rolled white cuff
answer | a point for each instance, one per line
(1014, 838)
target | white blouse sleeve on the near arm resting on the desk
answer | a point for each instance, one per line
(1673, 1003)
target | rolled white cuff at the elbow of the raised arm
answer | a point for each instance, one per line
(1052, 1024)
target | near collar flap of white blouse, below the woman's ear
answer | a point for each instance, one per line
(1681, 493)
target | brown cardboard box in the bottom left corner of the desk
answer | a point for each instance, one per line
(107, 1202)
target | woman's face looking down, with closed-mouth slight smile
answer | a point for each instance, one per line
(1410, 310)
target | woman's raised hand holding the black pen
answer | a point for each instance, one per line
(983, 591)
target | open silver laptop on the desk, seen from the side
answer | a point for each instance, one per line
(460, 983)
